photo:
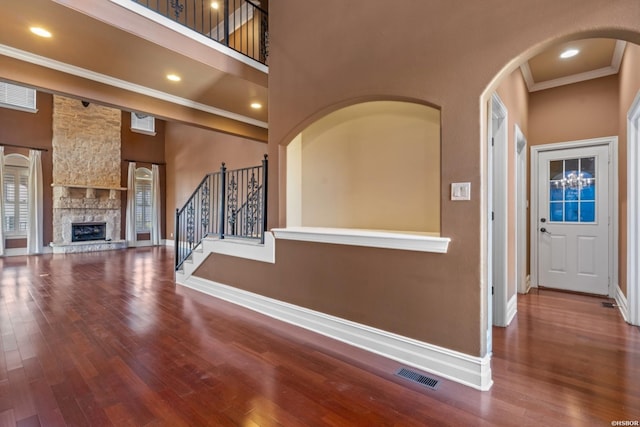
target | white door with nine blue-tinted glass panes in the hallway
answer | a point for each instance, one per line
(573, 219)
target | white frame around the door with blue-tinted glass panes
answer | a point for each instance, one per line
(612, 143)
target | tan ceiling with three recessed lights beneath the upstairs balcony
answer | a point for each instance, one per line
(104, 42)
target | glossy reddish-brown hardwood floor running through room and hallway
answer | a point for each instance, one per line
(83, 343)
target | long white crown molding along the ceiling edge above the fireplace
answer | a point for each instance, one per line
(122, 84)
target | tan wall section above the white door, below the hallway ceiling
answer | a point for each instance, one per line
(578, 111)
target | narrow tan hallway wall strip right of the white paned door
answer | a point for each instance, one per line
(629, 80)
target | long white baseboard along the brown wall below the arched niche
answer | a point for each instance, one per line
(469, 370)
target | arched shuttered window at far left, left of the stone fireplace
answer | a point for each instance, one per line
(16, 196)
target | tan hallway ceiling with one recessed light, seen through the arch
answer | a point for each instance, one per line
(596, 58)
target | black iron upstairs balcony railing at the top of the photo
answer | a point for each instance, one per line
(241, 25)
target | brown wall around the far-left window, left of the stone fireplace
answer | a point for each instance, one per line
(32, 130)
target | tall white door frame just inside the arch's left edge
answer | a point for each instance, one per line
(498, 209)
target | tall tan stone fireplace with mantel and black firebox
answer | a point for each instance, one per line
(86, 174)
